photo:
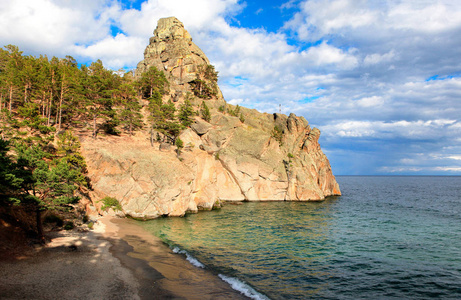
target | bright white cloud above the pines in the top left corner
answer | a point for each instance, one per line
(55, 26)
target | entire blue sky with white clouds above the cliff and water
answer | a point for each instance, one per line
(381, 79)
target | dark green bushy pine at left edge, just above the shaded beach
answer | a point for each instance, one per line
(36, 179)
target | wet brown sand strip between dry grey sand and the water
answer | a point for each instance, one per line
(160, 271)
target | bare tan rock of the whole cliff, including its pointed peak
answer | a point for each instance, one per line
(223, 160)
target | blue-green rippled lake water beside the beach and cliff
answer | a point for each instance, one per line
(385, 238)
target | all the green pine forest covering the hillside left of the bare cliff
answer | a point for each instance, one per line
(44, 102)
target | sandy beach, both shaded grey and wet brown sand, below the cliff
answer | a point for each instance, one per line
(115, 260)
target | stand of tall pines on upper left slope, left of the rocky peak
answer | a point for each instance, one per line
(47, 94)
